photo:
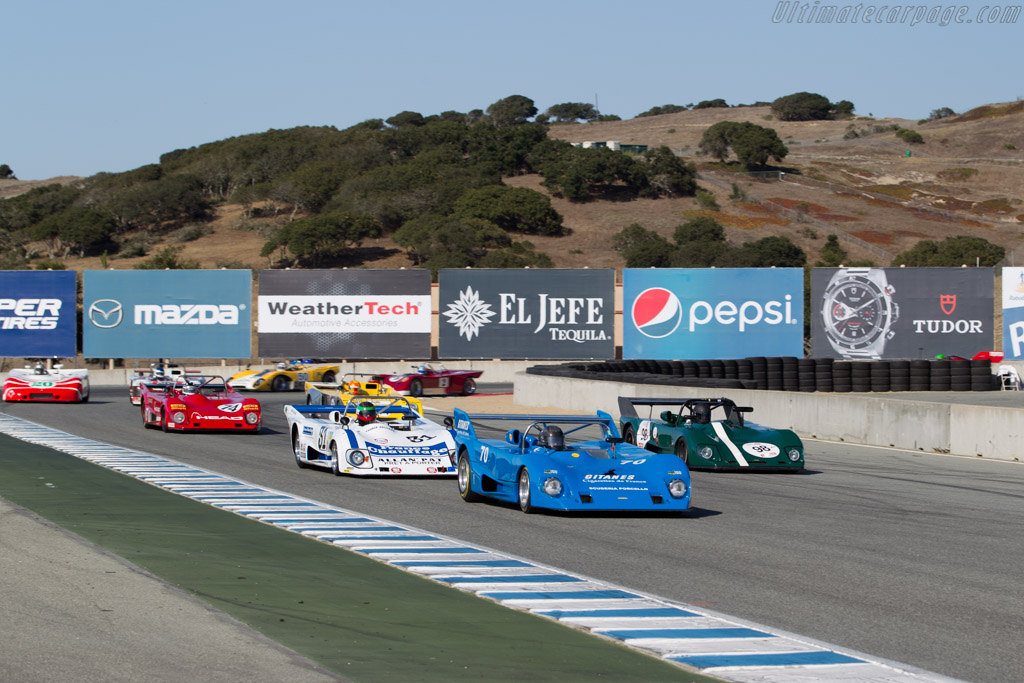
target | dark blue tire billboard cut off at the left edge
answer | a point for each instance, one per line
(37, 314)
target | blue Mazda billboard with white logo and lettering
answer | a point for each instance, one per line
(167, 315)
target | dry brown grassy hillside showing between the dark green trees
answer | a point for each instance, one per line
(966, 179)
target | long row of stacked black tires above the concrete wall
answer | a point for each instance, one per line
(790, 374)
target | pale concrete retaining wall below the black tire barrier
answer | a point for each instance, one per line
(932, 428)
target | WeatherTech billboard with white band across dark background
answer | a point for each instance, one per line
(351, 315)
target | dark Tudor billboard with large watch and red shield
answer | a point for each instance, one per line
(902, 313)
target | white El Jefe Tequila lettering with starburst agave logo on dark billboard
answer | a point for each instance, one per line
(559, 319)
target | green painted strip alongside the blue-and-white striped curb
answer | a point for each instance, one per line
(353, 616)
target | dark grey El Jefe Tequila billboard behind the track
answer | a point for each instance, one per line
(527, 314)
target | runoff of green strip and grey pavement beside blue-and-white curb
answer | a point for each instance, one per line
(105, 578)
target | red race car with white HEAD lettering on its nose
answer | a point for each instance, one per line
(198, 403)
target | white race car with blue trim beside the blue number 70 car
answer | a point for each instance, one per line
(371, 436)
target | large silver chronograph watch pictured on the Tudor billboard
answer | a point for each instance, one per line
(859, 313)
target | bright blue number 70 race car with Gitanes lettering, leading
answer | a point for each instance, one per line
(538, 467)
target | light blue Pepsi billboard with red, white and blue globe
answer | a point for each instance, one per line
(700, 314)
